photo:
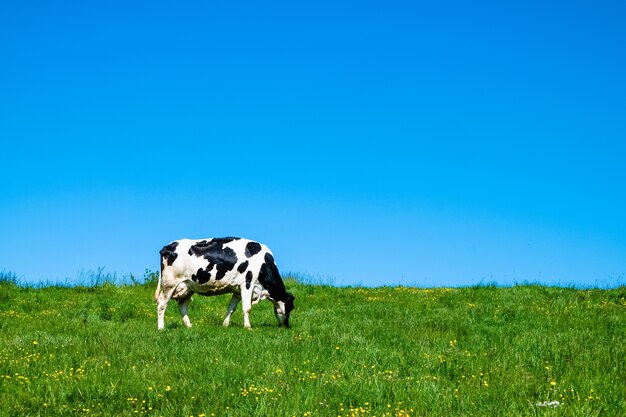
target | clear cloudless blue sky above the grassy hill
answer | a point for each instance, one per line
(421, 143)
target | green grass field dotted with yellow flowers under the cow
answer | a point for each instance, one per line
(391, 351)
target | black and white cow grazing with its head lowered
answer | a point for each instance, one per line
(218, 266)
